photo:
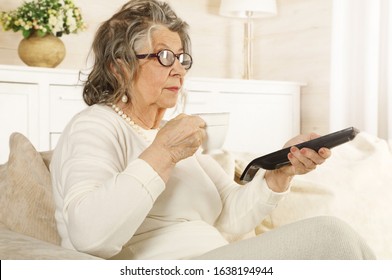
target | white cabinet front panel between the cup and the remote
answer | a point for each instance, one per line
(259, 123)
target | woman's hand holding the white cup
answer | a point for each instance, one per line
(178, 139)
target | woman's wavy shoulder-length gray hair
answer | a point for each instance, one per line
(118, 39)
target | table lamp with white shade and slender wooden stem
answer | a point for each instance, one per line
(248, 9)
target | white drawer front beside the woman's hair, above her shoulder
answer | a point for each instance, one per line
(65, 102)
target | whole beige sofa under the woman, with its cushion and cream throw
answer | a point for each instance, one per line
(355, 184)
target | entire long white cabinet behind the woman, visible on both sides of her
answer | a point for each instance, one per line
(39, 102)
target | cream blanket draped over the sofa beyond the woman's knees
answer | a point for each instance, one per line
(355, 184)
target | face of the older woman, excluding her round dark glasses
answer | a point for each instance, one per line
(157, 87)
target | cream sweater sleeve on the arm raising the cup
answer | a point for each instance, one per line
(105, 196)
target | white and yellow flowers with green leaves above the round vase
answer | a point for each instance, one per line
(56, 17)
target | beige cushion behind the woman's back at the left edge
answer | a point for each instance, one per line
(26, 203)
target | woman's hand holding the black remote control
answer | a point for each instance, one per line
(302, 161)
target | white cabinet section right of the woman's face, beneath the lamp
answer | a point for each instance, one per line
(263, 114)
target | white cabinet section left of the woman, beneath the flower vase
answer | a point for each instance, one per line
(30, 100)
